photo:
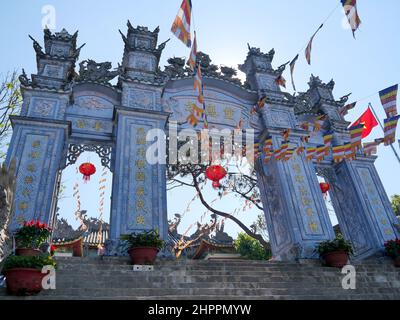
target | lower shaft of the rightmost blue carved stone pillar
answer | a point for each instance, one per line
(362, 207)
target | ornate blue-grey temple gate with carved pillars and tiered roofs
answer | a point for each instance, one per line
(64, 114)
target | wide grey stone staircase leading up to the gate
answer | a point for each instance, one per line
(114, 278)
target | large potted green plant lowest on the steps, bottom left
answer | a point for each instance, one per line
(24, 273)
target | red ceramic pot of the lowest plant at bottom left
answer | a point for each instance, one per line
(24, 281)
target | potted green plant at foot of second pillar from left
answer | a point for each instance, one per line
(143, 247)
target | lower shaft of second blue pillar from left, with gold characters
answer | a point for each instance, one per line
(139, 189)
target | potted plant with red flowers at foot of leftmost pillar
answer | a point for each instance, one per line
(30, 237)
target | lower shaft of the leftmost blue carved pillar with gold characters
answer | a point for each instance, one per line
(37, 146)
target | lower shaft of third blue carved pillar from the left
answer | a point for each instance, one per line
(295, 211)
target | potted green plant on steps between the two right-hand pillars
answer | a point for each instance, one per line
(335, 252)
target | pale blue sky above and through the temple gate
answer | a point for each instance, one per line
(224, 27)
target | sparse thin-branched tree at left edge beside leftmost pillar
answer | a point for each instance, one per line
(10, 104)
